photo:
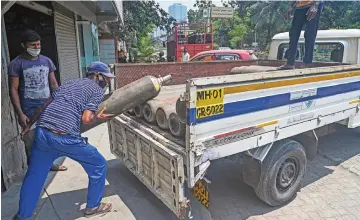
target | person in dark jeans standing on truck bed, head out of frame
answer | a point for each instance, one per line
(305, 13)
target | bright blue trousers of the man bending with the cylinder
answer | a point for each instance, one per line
(47, 147)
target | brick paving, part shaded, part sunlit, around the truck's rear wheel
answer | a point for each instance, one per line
(331, 188)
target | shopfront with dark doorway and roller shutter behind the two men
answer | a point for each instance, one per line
(70, 38)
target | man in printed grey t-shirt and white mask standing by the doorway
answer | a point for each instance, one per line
(32, 79)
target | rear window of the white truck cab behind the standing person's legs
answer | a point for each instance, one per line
(323, 52)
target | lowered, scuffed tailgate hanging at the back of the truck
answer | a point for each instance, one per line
(159, 168)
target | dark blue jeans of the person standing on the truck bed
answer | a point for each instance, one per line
(298, 22)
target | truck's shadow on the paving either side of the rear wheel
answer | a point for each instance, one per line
(230, 194)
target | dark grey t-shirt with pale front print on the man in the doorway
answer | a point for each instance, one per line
(34, 80)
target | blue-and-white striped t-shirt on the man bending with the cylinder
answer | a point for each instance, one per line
(70, 100)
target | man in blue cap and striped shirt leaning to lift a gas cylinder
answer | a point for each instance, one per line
(58, 134)
